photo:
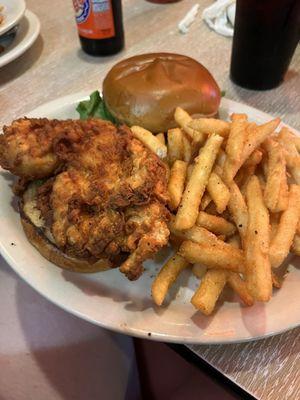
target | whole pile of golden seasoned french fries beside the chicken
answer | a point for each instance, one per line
(233, 187)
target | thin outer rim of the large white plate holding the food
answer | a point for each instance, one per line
(133, 331)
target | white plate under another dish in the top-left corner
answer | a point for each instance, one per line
(29, 28)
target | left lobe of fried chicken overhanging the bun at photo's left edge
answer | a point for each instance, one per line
(27, 146)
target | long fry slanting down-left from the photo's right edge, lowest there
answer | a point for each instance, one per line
(283, 239)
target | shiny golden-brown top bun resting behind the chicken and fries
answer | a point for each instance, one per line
(145, 90)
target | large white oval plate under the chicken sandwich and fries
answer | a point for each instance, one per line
(108, 299)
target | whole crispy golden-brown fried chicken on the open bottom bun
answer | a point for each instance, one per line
(103, 193)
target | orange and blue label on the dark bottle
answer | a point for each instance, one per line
(94, 18)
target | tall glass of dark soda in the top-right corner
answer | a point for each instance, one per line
(266, 33)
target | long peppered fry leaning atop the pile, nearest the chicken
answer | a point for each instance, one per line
(191, 199)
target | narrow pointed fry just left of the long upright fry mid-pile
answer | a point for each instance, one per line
(238, 209)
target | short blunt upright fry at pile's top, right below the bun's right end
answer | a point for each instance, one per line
(237, 136)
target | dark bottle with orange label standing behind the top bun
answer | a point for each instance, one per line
(100, 26)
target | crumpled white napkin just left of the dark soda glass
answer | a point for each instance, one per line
(220, 16)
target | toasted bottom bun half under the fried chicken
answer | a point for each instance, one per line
(38, 236)
